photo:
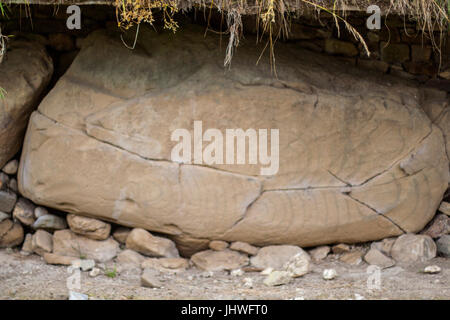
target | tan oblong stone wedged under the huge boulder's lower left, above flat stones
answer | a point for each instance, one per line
(89, 227)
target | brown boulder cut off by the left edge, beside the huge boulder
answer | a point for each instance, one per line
(25, 72)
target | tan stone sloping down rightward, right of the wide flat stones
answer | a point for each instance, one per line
(144, 242)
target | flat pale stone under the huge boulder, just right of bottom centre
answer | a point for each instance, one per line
(275, 257)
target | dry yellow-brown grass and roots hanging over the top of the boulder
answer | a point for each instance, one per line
(273, 16)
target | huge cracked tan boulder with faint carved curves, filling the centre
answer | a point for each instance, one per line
(359, 158)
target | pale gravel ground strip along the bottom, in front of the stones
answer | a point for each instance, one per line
(28, 277)
